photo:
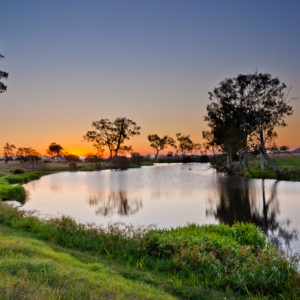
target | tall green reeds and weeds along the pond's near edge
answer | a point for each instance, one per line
(233, 259)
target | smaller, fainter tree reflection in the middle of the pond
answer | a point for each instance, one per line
(111, 203)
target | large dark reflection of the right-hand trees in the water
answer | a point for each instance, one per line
(238, 201)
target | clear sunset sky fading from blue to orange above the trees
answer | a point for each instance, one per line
(73, 62)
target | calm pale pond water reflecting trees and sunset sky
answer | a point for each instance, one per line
(170, 195)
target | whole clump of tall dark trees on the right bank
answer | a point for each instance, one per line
(244, 109)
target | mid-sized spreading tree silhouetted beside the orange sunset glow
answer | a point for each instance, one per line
(112, 135)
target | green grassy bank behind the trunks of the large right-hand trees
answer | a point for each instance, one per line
(288, 166)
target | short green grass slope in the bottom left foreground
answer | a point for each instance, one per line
(33, 269)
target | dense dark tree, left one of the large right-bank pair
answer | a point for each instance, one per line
(229, 119)
